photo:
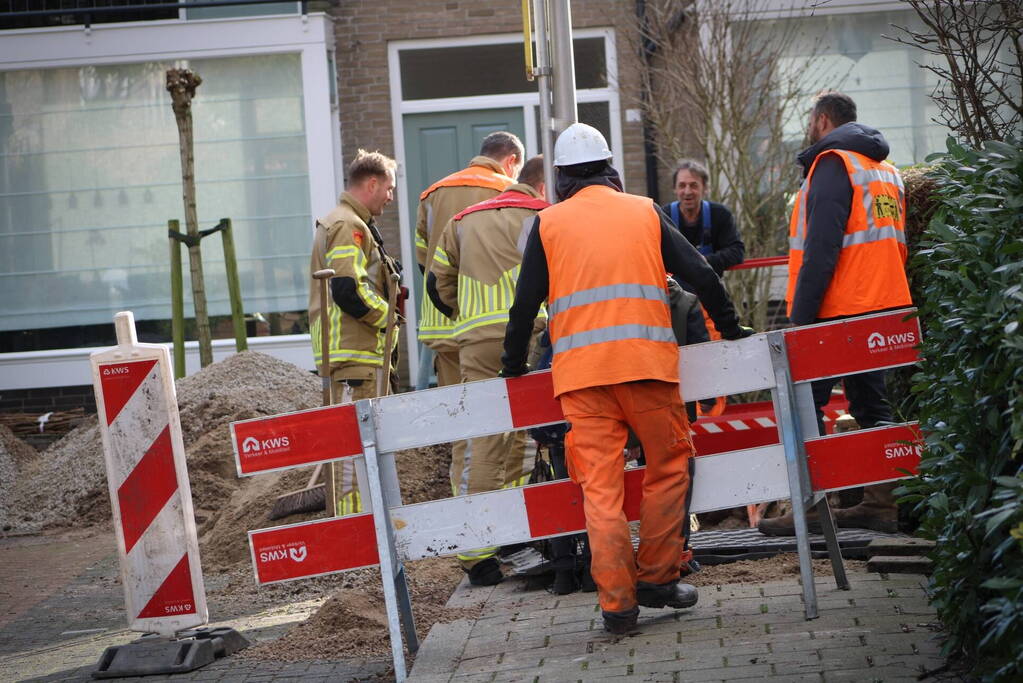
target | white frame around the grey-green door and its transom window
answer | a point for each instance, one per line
(526, 101)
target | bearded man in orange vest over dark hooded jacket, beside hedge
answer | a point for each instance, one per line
(848, 258)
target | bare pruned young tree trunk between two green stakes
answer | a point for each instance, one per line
(182, 83)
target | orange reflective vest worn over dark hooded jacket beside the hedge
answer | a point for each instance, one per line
(871, 271)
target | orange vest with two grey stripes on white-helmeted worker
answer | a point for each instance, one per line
(608, 298)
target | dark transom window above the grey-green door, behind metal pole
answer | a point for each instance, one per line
(488, 70)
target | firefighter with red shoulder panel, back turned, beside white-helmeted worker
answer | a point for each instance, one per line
(475, 281)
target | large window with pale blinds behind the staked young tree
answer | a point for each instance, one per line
(91, 174)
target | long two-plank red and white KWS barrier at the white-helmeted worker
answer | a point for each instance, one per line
(782, 362)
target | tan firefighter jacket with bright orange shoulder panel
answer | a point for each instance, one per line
(483, 179)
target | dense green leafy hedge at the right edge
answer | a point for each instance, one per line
(969, 397)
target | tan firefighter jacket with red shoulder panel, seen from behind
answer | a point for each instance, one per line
(483, 254)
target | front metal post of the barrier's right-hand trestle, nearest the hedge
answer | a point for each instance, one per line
(795, 460)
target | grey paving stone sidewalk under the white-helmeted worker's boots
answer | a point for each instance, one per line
(882, 630)
